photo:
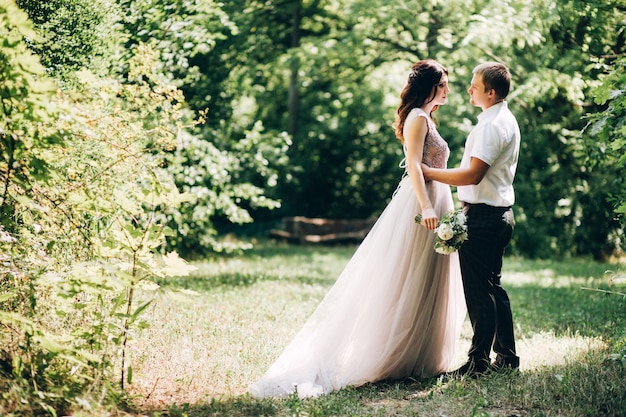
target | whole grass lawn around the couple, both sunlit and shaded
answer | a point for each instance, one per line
(203, 350)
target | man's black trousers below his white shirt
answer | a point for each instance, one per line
(489, 231)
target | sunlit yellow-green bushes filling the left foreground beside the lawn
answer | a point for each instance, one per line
(84, 202)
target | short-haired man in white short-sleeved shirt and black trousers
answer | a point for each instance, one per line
(484, 183)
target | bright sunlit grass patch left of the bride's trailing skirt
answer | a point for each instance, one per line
(216, 344)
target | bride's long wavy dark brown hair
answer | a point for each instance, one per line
(419, 89)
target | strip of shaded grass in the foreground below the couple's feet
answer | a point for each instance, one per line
(590, 387)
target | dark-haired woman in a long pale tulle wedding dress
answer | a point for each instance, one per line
(396, 309)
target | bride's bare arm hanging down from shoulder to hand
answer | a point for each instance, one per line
(414, 135)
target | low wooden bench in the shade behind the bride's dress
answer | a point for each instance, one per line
(317, 230)
